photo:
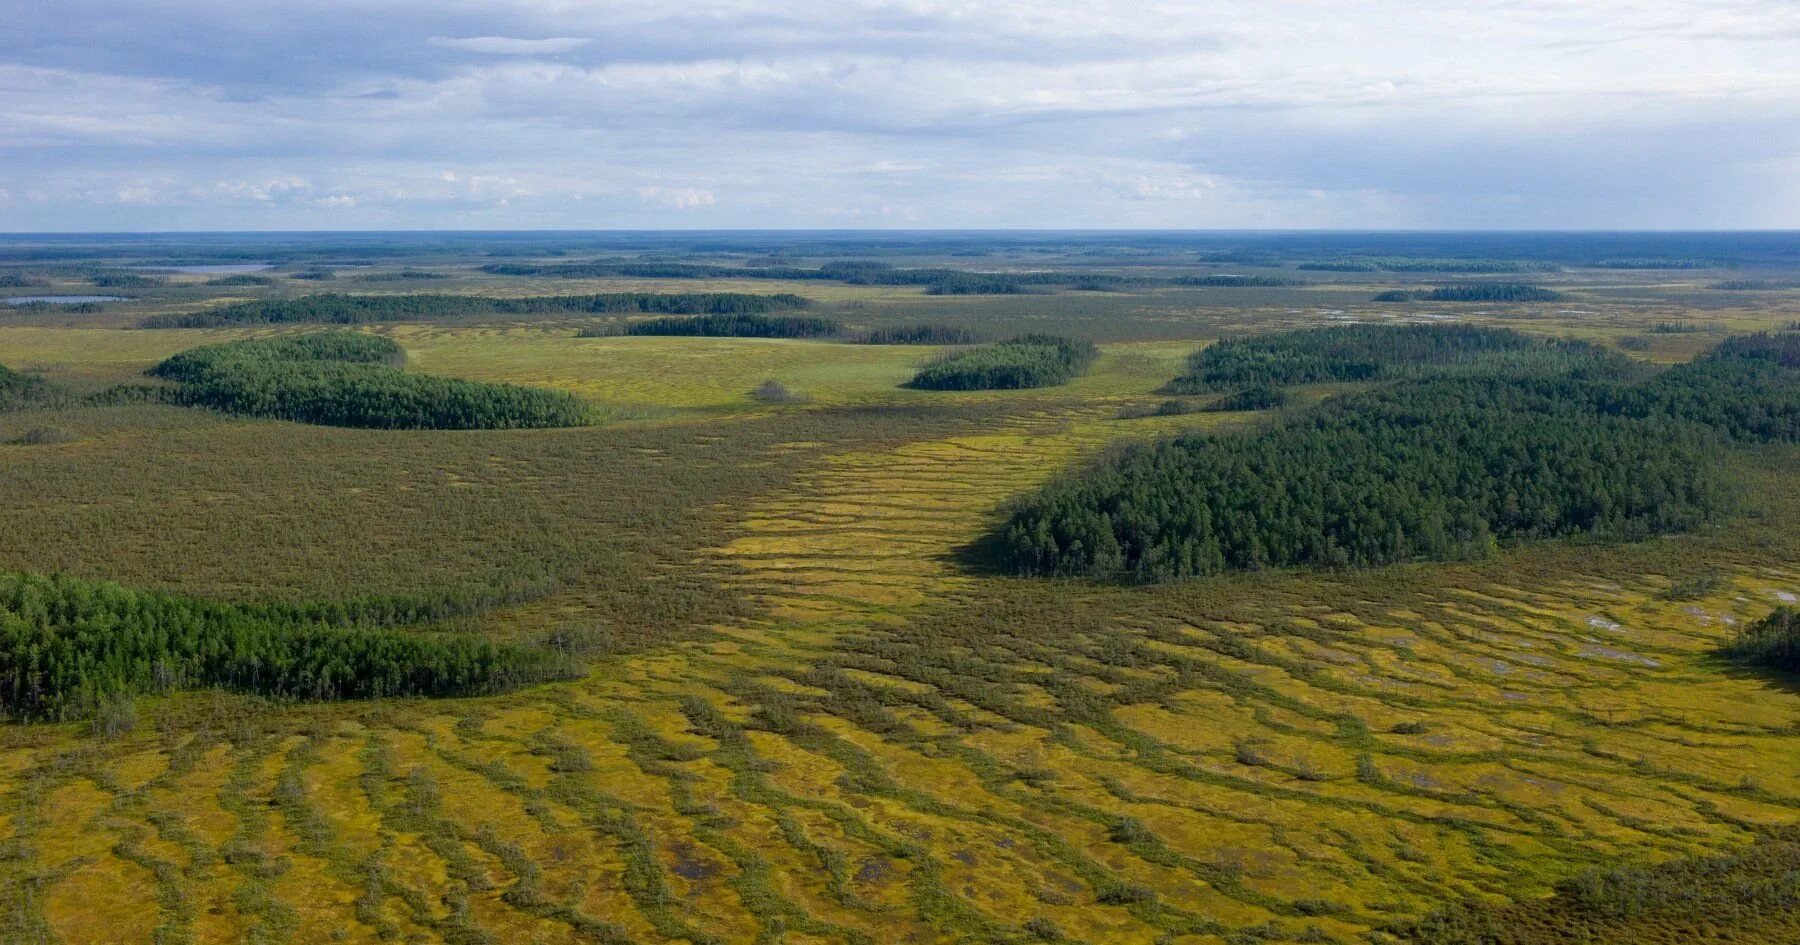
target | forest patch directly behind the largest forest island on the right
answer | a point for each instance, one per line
(1365, 352)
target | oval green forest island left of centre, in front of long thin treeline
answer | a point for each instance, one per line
(341, 379)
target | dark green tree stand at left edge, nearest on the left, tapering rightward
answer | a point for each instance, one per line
(69, 645)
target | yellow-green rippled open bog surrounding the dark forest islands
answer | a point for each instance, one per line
(809, 715)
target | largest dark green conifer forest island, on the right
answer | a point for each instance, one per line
(1425, 471)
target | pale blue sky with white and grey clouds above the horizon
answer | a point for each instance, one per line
(910, 114)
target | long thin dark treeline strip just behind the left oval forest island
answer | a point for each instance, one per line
(334, 309)
